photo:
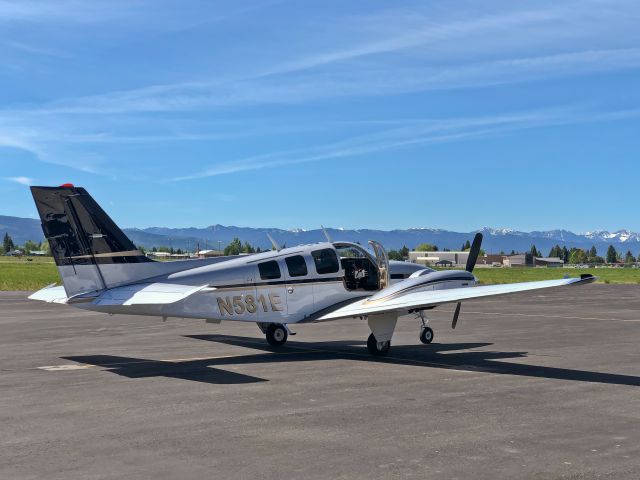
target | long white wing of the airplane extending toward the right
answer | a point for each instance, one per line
(414, 301)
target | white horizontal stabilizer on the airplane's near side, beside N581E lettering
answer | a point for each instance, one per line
(146, 294)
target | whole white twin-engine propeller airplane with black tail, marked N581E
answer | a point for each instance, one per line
(103, 271)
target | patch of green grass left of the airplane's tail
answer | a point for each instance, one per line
(27, 273)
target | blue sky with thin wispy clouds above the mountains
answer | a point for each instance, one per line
(450, 114)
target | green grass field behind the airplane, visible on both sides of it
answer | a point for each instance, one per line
(32, 274)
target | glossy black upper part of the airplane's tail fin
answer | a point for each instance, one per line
(79, 231)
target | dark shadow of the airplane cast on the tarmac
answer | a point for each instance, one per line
(456, 356)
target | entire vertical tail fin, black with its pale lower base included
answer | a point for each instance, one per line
(88, 247)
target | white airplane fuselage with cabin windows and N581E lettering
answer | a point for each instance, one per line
(286, 286)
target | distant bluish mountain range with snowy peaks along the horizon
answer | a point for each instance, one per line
(495, 240)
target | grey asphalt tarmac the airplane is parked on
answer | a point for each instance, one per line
(538, 386)
